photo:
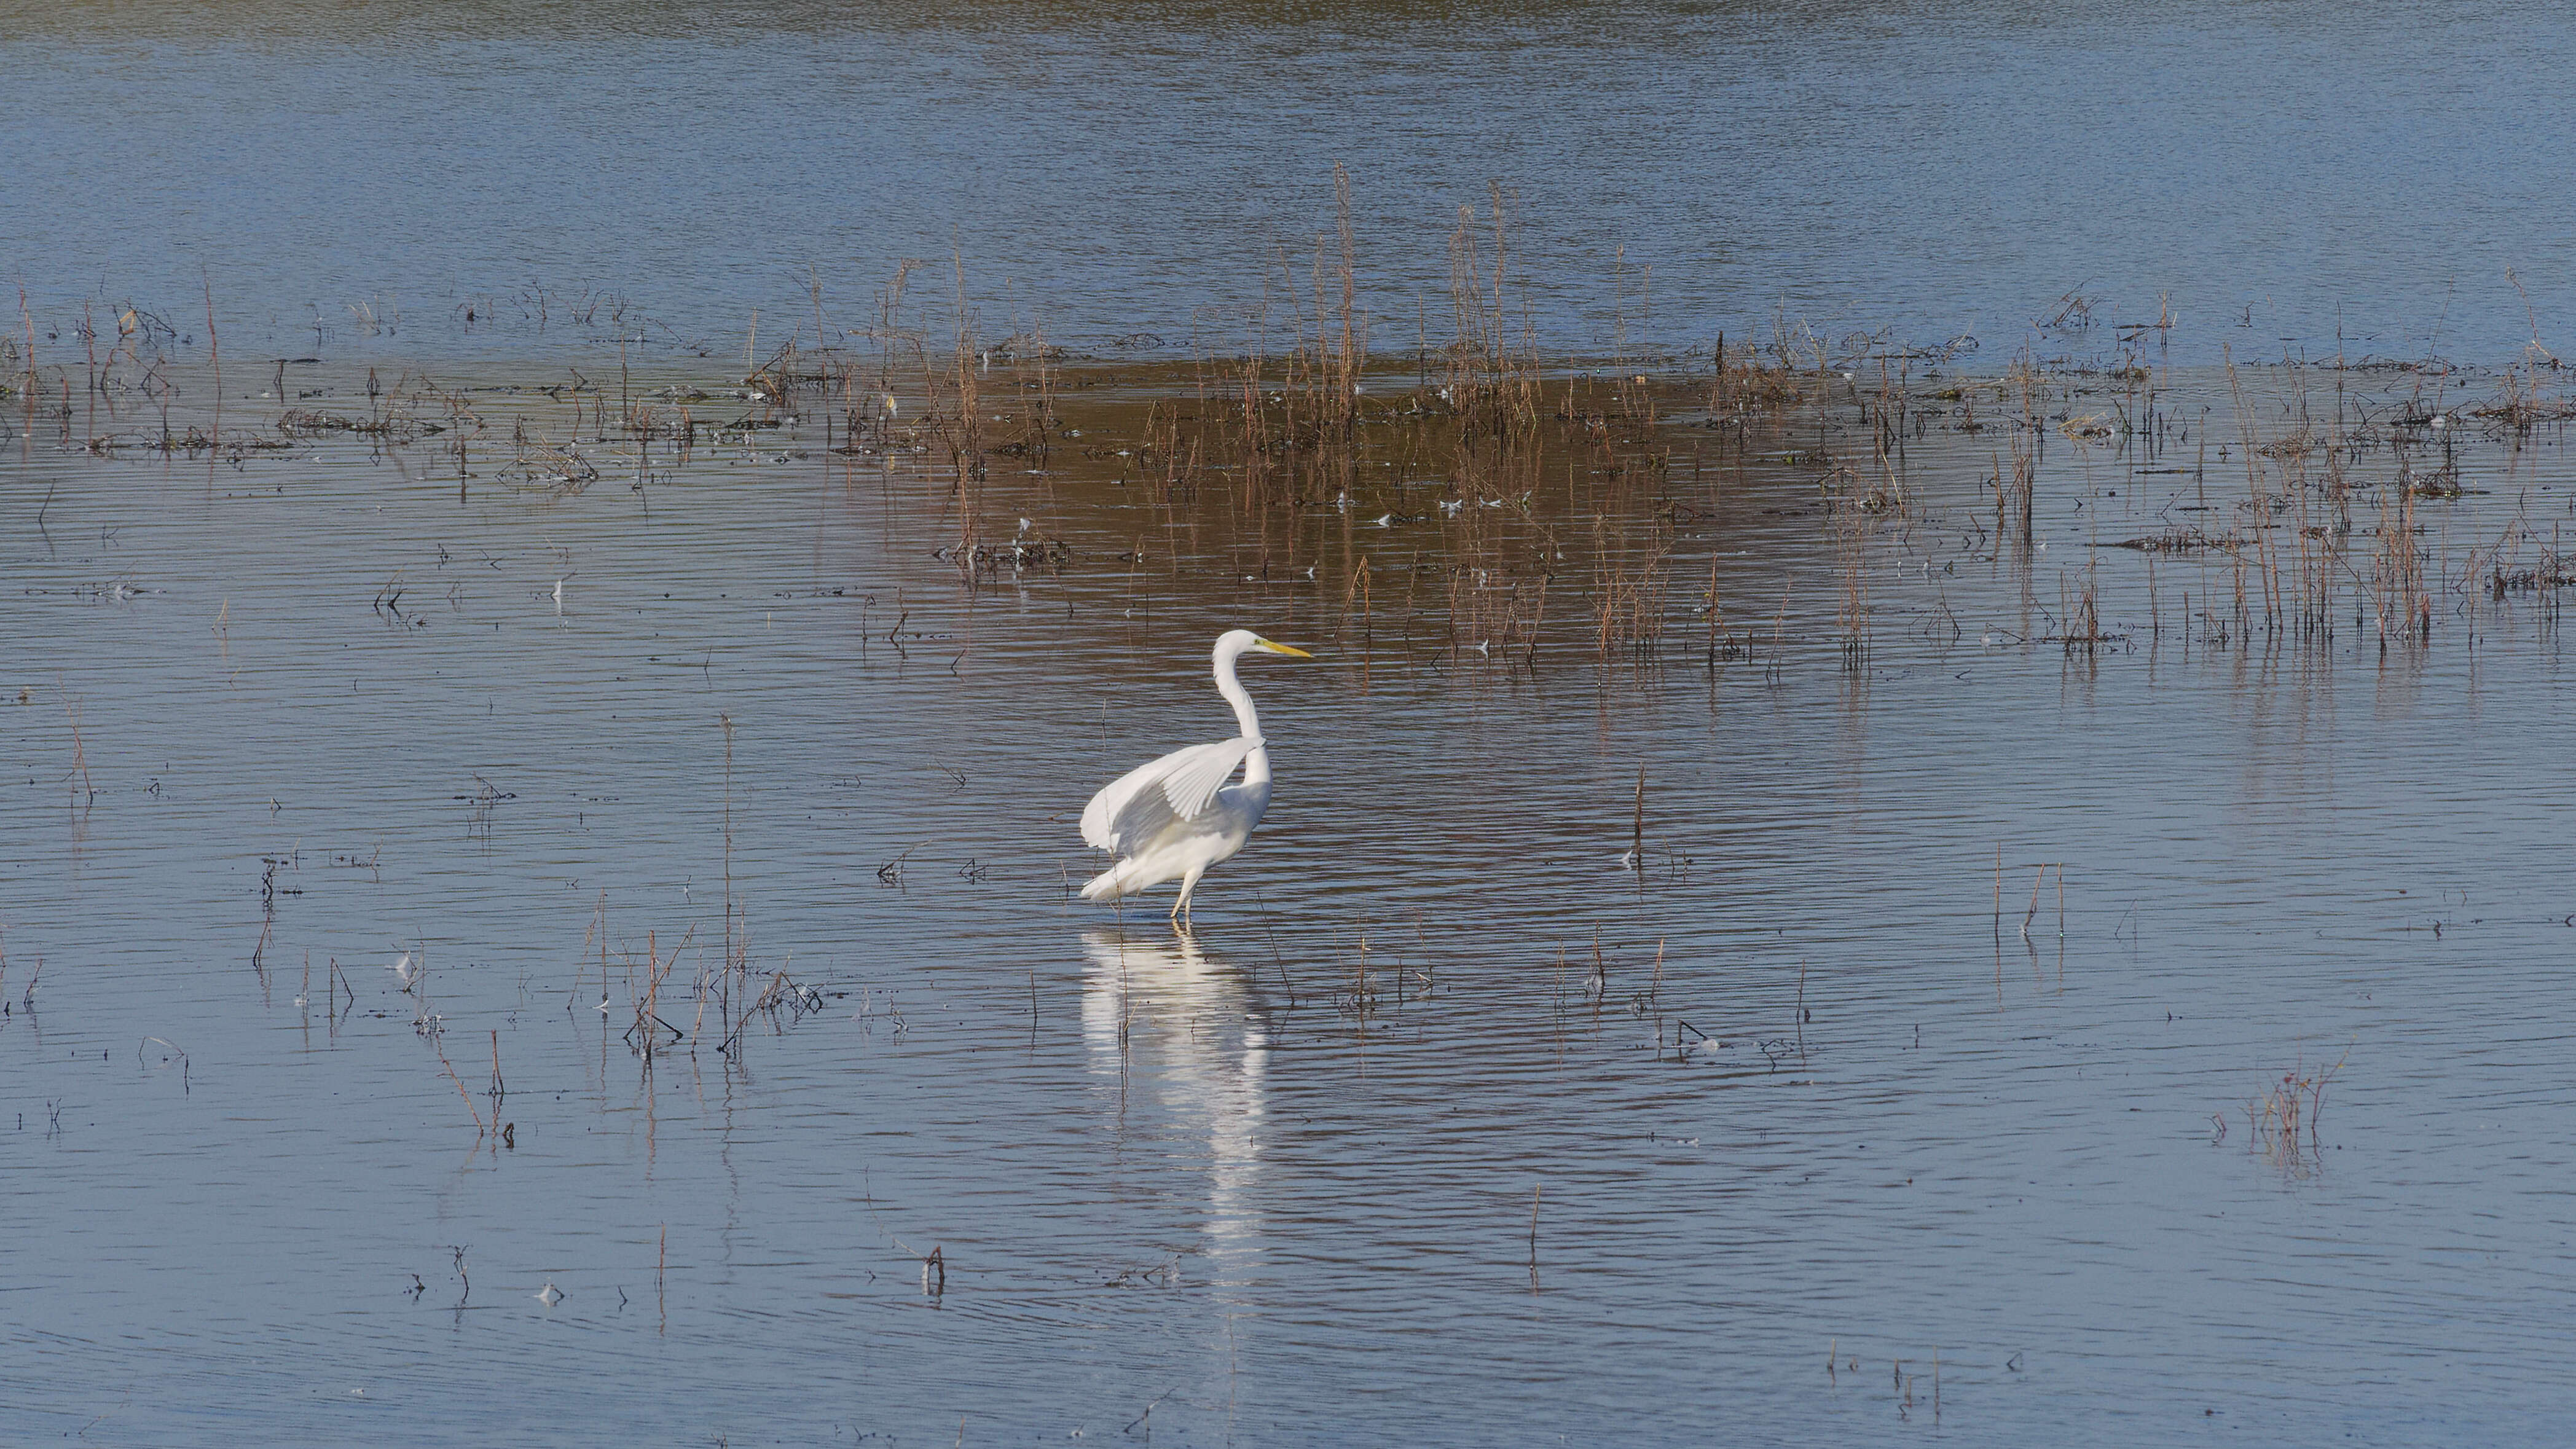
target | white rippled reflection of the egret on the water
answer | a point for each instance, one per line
(1184, 1035)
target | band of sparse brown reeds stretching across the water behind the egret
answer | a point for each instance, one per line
(1472, 499)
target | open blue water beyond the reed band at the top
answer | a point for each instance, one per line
(1933, 171)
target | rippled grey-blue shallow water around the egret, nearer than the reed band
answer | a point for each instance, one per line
(1274, 1182)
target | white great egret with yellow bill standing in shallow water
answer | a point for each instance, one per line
(1179, 816)
